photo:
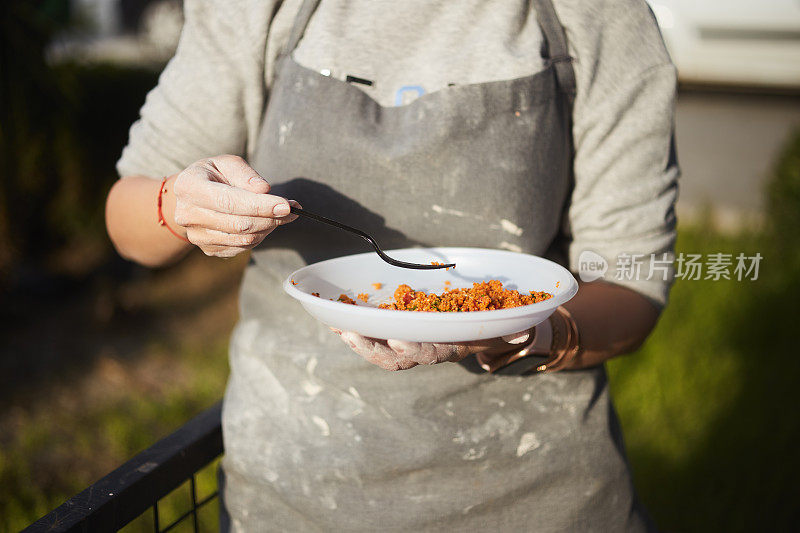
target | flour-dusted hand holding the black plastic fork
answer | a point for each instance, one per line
(224, 206)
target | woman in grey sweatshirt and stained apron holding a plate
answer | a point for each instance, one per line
(425, 123)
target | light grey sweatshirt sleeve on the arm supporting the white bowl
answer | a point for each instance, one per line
(623, 202)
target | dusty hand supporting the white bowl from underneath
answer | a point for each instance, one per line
(402, 355)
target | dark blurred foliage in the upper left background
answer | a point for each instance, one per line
(61, 129)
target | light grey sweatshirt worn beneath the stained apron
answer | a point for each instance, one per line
(211, 96)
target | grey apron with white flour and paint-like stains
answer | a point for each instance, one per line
(318, 439)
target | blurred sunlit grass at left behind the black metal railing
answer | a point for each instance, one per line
(55, 452)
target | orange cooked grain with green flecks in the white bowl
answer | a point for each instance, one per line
(483, 296)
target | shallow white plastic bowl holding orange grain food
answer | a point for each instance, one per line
(355, 274)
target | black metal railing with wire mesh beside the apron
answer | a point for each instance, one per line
(138, 485)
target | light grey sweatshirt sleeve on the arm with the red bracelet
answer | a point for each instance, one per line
(197, 108)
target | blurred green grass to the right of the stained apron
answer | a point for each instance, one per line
(708, 405)
